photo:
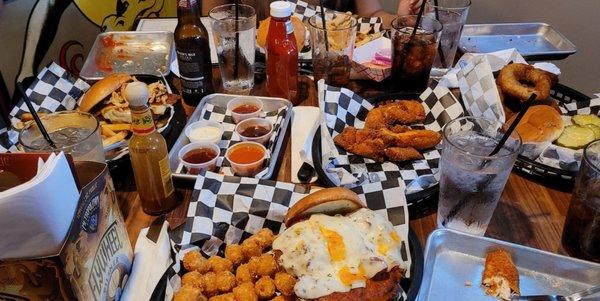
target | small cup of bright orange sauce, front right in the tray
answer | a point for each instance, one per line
(246, 158)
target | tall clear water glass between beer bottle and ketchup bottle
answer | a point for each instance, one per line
(234, 34)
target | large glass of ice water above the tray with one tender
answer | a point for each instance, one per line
(471, 181)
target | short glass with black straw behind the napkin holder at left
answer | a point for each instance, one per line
(76, 133)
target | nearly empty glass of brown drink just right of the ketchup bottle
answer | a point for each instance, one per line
(333, 65)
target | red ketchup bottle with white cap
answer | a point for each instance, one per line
(282, 53)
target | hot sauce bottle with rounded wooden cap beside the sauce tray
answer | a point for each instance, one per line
(148, 154)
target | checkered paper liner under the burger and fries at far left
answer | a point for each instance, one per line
(53, 90)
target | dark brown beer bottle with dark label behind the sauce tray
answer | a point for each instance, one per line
(193, 53)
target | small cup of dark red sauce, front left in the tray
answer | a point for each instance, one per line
(199, 156)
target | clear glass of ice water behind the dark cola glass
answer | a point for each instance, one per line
(453, 16)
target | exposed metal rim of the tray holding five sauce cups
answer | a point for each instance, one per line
(217, 99)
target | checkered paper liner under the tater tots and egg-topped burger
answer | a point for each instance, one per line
(227, 209)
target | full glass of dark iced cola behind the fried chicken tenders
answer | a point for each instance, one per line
(412, 56)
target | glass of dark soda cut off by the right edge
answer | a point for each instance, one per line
(581, 234)
